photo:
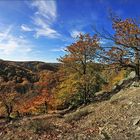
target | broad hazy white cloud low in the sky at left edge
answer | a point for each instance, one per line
(10, 44)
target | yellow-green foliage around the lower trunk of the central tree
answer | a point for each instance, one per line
(71, 90)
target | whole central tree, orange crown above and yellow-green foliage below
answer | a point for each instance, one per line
(79, 65)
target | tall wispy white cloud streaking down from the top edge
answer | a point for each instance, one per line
(43, 18)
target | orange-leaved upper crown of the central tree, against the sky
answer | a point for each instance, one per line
(84, 48)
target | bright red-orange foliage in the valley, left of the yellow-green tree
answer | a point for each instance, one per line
(41, 100)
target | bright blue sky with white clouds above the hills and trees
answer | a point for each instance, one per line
(39, 30)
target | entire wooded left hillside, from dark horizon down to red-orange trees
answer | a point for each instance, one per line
(27, 81)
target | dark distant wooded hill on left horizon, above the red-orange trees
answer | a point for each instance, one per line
(13, 73)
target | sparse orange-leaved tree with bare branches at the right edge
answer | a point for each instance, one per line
(125, 53)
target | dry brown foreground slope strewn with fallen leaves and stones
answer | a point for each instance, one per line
(117, 119)
